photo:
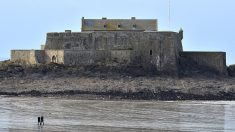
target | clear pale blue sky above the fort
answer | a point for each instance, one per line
(208, 25)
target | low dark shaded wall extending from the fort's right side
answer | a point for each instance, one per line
(213, 60)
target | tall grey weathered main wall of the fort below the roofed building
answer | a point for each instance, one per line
(153, 50)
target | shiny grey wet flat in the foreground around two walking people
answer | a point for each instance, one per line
(20, 114)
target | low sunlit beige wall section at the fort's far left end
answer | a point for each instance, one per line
(25, 56)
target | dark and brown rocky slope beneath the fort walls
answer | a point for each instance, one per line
(99, 82)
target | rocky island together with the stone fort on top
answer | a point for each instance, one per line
(118, 59)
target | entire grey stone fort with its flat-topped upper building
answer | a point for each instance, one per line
(135, 42)
